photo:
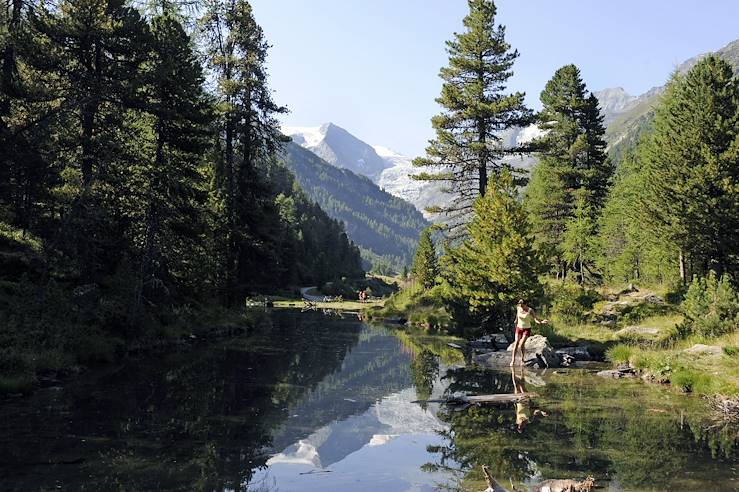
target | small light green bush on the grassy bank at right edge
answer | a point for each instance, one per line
(711, 307)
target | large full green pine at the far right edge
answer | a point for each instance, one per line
(691, 166)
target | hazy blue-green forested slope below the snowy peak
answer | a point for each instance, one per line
(385, 228)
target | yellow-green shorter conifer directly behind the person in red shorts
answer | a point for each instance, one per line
(496, 265)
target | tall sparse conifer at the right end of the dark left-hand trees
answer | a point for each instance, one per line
(250, 134)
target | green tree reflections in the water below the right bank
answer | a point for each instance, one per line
(604, 429)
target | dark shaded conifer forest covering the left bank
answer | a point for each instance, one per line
(140, 173)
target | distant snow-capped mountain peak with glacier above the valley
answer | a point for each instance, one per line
(337, 146)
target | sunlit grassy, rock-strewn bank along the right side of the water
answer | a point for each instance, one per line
(643, 328)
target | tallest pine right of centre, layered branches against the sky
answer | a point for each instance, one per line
(467, 148)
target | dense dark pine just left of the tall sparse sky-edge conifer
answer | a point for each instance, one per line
(167, 184)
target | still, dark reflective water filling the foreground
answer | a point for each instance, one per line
(321, 403)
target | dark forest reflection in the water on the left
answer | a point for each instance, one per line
(202, 419)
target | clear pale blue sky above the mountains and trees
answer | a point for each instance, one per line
(371, 66)
